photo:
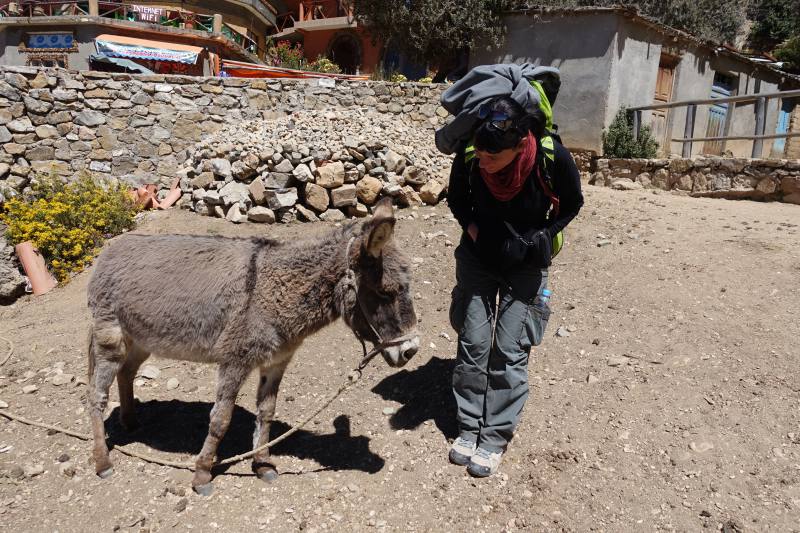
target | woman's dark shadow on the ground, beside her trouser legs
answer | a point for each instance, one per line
(426, 394)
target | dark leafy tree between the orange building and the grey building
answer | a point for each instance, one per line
(432, 32)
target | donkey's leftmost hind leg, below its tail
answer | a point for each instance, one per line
(106, 354)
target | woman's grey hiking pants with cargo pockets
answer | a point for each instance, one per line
(490, 379)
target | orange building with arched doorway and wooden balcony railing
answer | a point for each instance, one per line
(327, 28)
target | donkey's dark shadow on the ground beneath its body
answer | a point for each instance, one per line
(180, 427)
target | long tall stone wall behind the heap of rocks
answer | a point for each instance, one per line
(140, 128)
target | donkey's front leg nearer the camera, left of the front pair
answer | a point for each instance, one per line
(229, 381)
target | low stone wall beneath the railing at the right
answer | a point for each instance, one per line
(734, 178)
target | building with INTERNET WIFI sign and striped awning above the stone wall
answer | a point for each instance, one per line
(186, 37)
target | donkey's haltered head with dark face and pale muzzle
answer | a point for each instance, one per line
(376, 302)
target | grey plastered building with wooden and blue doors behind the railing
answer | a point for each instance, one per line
(613, 57)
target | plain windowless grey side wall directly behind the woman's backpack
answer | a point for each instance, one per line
(585, 64)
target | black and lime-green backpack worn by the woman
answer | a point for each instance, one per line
(547, 86)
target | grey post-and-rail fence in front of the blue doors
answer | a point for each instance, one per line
(688, 138)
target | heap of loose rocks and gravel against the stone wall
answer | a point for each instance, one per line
(312, 166)
